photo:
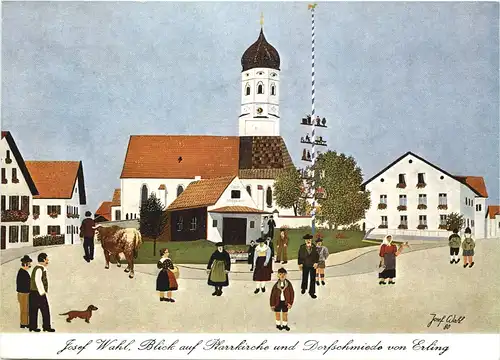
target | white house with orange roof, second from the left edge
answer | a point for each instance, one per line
(56, 209)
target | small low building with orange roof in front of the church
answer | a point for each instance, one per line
(218, 209)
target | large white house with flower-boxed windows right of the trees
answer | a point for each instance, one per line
(413, 197)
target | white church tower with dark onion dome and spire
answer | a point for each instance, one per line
(260, 90)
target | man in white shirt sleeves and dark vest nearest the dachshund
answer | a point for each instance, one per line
(39, 287)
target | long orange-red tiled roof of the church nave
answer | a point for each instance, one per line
(181, 156)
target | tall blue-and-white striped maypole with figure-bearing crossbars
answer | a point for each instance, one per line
(314, 121)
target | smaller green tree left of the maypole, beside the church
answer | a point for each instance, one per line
(288, 190)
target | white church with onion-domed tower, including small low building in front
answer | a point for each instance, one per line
(176, 167)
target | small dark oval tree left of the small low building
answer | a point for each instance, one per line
(153, 219)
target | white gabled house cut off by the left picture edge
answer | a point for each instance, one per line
(17, 191)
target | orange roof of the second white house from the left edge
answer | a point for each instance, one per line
(54, 179)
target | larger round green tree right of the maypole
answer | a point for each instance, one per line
(340, 178)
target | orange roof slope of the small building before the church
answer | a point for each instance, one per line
(201, 193)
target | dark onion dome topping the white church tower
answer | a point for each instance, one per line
(260, 54)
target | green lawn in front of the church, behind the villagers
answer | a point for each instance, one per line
(199, 251)
